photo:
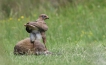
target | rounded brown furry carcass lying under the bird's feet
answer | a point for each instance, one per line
(26, 47)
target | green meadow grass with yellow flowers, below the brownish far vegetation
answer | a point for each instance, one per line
(76, 36)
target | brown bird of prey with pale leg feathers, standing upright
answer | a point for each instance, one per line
(37, 28)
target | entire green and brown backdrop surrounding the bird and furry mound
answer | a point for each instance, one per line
(76, 31)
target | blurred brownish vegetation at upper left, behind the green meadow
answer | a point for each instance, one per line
(14, 8)
